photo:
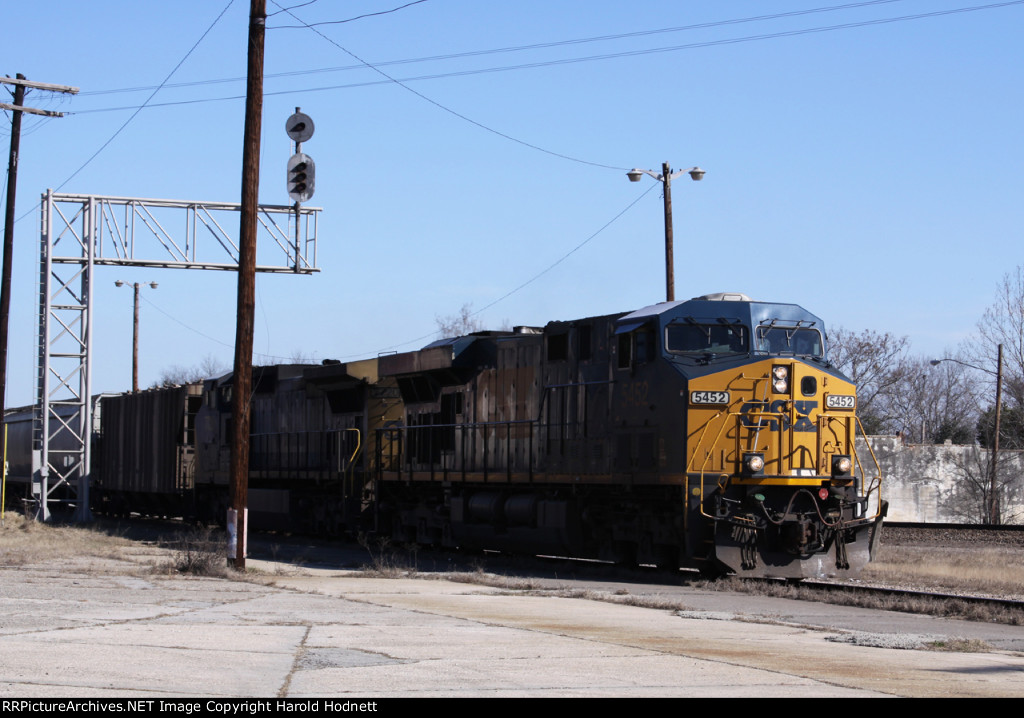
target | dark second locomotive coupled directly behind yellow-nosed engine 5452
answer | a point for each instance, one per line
(313, 434)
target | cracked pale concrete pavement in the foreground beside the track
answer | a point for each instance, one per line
(93, 628)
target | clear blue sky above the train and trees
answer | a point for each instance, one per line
(871, 174)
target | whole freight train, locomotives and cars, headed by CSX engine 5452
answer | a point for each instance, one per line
(712, 434)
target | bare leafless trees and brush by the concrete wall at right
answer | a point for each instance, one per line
(932, 400)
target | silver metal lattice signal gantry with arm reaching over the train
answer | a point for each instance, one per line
(81, 232)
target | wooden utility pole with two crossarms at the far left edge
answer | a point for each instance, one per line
(9, 230)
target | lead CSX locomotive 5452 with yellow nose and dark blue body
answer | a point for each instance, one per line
(710, 434)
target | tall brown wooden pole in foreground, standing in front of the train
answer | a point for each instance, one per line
(242, 384)
